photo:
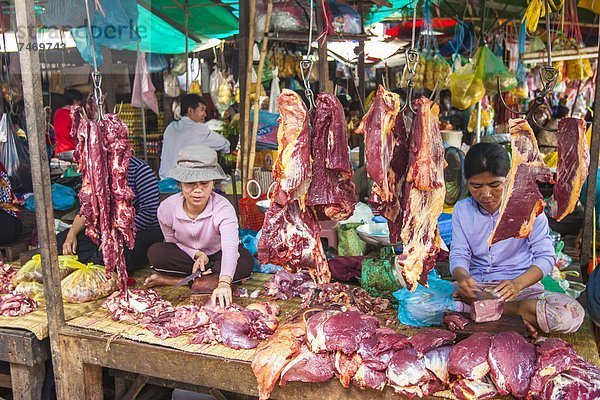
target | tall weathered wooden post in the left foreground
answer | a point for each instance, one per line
(32, 93)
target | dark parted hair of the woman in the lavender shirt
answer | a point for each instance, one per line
(486, 157)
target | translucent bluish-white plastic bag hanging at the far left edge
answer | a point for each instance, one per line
(14, 155)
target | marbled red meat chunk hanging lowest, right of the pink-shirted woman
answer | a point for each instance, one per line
(290, 238)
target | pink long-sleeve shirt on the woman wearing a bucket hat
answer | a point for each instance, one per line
(213, 230)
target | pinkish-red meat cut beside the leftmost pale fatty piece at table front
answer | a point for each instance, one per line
(308, 367)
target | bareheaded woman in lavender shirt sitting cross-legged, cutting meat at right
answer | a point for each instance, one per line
(513, 267)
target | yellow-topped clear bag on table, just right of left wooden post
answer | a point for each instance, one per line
(87, 283)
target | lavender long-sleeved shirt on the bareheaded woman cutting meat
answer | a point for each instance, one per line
(505, 260)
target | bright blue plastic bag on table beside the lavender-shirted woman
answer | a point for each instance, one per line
(426, 306)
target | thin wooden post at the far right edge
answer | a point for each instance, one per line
(590, 196)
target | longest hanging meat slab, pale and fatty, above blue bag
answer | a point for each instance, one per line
(423, 197)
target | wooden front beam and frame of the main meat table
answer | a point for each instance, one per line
(85, 353)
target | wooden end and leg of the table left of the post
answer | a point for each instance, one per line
(27, 357)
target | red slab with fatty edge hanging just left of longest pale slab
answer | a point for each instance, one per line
(377, 127)
